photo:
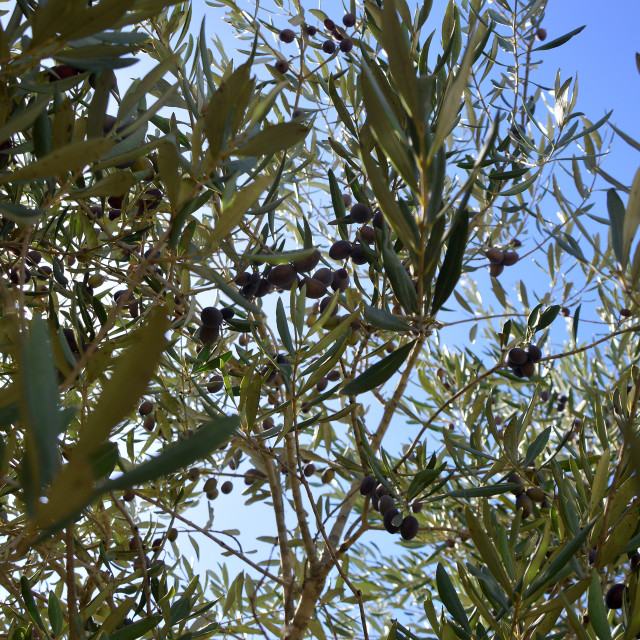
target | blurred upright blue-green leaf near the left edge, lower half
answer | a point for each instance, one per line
(40, 407)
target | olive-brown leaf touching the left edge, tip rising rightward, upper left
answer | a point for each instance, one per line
(74, 157)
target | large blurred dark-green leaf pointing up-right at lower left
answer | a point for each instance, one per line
(208, 437)
